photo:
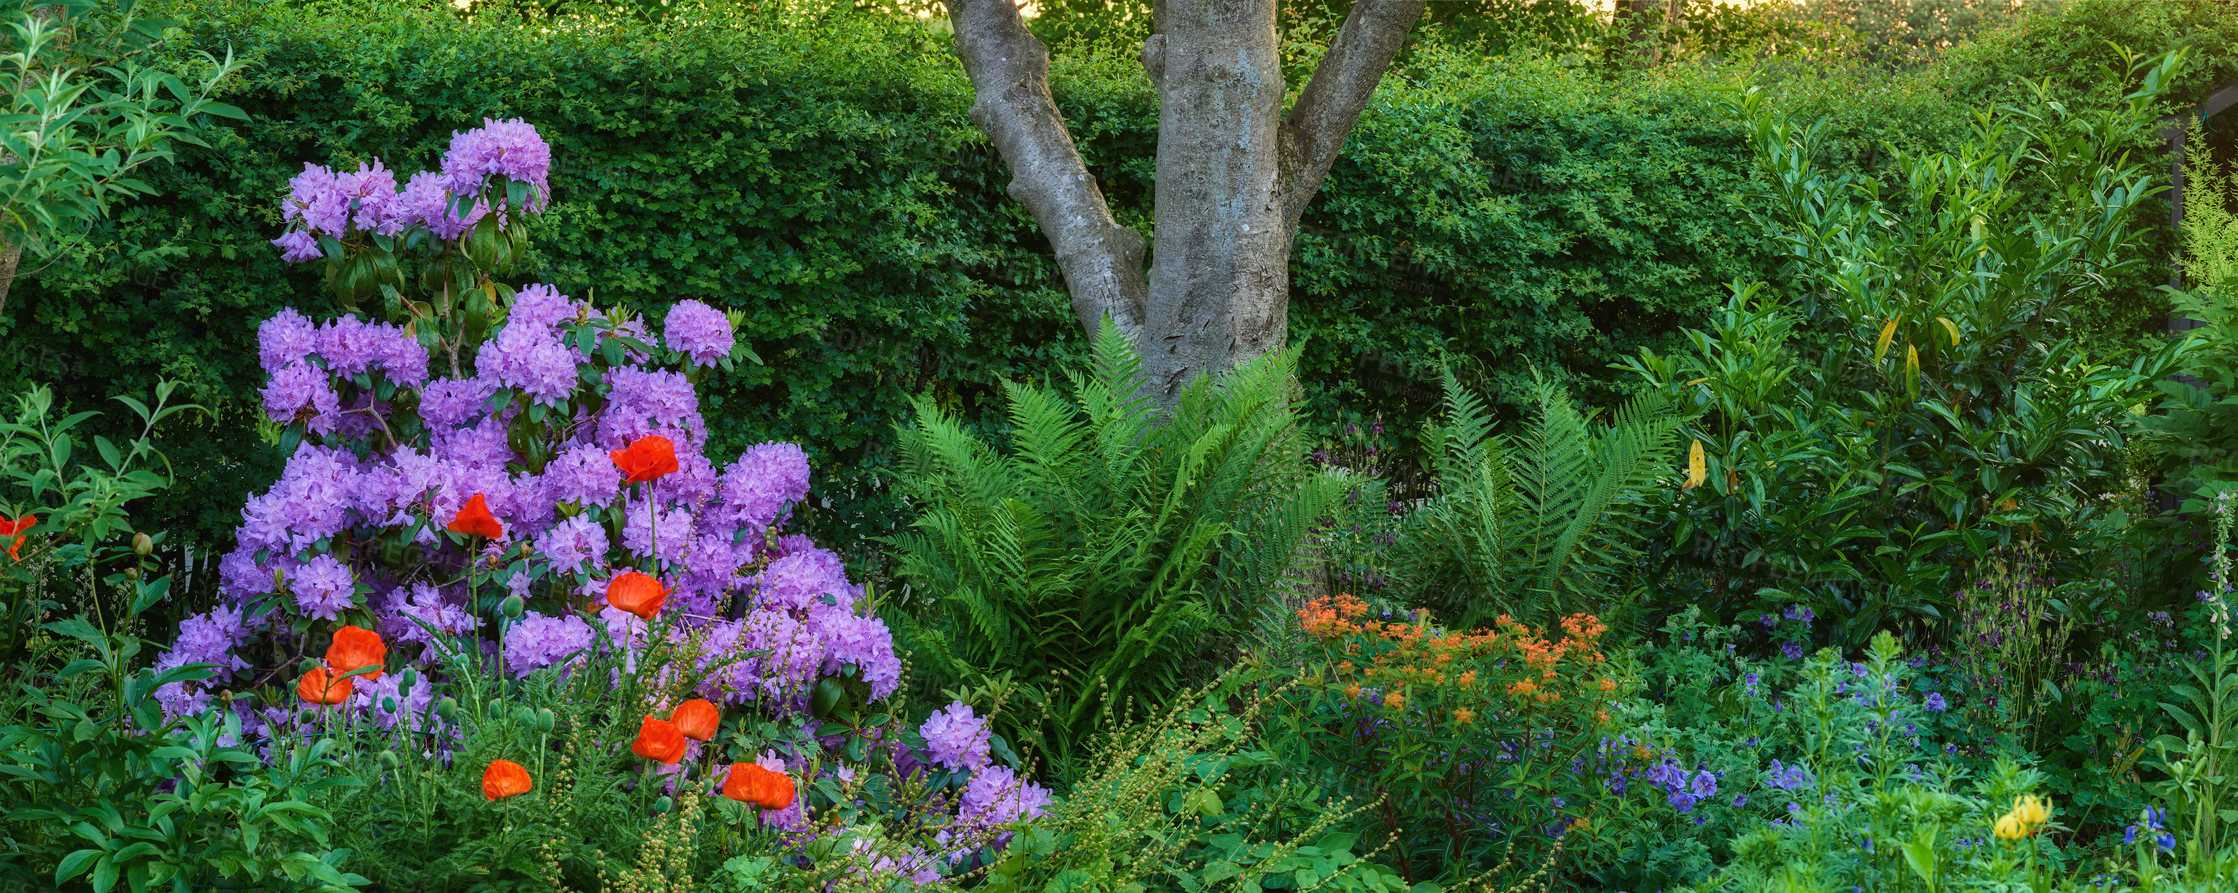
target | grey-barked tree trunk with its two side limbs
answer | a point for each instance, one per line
(1234, 173)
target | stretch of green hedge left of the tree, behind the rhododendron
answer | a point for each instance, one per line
(820, 180)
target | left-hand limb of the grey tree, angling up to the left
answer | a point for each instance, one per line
(1010, 82)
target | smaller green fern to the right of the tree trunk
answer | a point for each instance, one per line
(1532, 525)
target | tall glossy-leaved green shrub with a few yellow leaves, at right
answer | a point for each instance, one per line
(1915, 397)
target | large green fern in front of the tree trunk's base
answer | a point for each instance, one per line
(1107, 549)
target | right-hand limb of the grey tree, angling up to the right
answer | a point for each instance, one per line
(1335, 97)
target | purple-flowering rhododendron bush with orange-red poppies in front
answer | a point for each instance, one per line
(500, 485)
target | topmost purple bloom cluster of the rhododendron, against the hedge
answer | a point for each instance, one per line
(368, 200)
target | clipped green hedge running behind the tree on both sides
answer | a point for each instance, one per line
(822, 178)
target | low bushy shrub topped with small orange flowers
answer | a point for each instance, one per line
(1476, 753)
